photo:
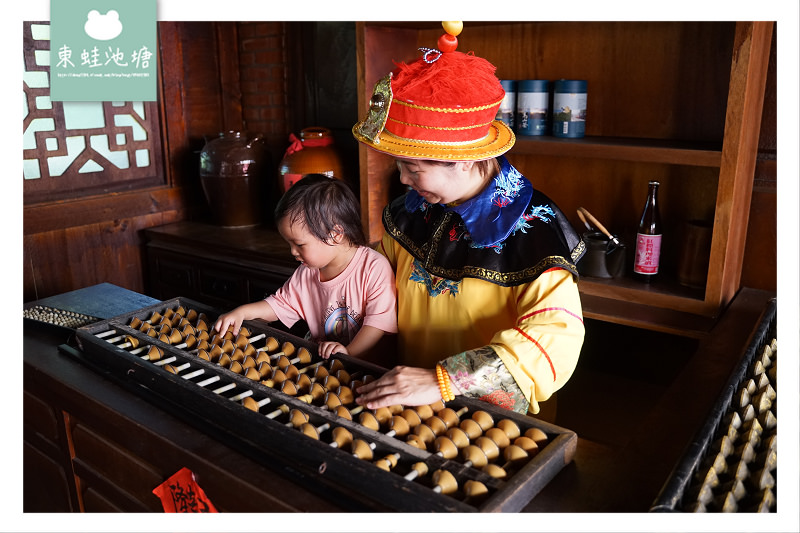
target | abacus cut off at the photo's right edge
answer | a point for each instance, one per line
(732, 464)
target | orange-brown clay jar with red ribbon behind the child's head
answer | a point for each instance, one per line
(313, 153)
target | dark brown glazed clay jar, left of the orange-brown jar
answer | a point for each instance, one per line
(234, 171)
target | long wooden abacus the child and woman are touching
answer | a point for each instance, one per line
(270, 395)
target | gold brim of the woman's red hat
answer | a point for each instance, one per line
(497, 141)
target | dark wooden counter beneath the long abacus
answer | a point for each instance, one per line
(92, 445)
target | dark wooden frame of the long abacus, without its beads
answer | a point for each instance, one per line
(353, 483)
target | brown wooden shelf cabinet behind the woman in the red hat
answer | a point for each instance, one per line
(679, 102)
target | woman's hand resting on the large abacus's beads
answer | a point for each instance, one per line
(403, 385)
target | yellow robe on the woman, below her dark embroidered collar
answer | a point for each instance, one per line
(535, 328)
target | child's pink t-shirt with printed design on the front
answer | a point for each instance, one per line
(364, 294)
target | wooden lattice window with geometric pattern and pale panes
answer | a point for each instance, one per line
(75, 149)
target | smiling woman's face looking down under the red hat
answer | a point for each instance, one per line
(439, 184)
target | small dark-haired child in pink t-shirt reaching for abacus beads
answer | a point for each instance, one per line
(343, 289)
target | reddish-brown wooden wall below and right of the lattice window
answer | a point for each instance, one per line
(95, 239)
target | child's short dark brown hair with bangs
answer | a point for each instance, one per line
(326, 206)
